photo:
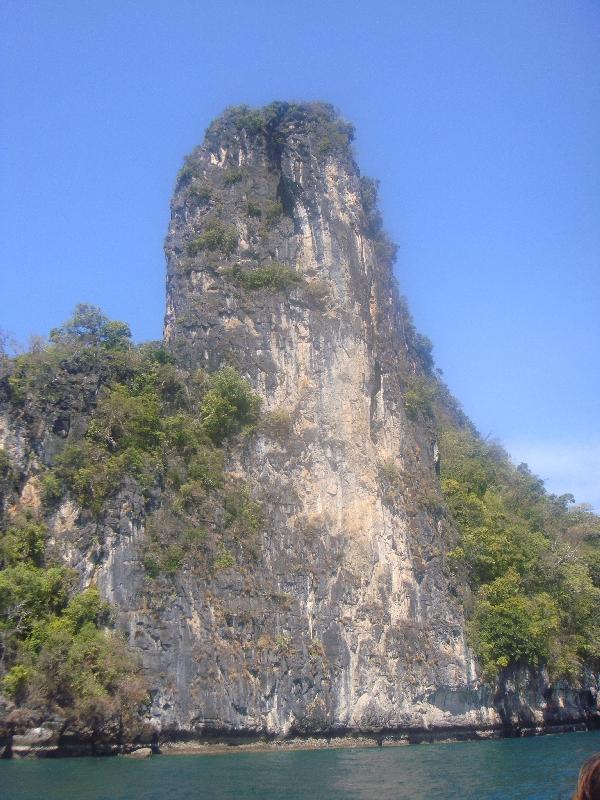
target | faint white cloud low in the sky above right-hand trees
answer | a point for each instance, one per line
(565, 466)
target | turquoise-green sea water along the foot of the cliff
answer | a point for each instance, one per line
(543, 768)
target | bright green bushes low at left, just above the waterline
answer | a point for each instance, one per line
(57, 647)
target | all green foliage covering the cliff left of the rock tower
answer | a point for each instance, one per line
(148, 422)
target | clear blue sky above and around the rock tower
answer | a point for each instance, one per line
(481, 120)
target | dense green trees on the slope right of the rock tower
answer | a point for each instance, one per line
(530, 560)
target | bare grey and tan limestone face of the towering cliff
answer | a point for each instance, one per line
(340, 615)
